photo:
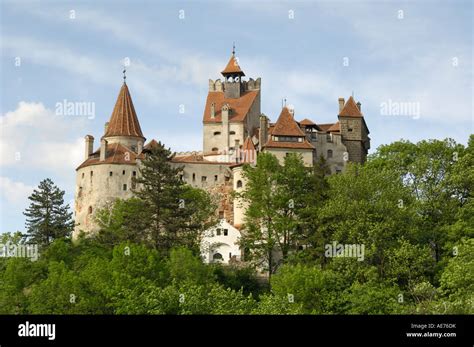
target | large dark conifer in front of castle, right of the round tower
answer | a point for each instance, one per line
(178, 213)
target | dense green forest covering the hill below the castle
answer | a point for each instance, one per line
(410, 205)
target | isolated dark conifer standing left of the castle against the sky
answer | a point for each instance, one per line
(47, 216)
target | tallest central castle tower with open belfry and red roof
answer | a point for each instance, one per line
(231, 113)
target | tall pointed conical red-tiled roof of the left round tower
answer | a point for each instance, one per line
(124, 120)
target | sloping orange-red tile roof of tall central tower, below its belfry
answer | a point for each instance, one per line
(238, 107)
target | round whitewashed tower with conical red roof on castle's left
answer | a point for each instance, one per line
(107, 173)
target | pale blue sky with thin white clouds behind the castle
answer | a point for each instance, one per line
(308, 52)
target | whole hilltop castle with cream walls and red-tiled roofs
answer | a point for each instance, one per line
(234, 132)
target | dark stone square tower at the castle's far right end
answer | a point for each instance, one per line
(354, 130)
